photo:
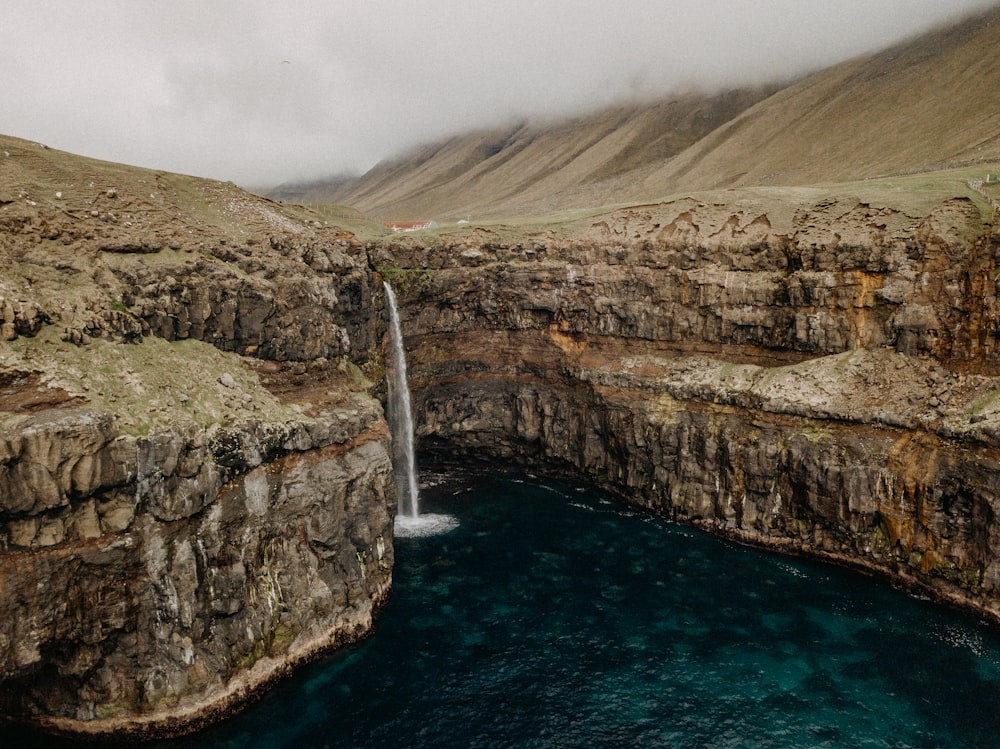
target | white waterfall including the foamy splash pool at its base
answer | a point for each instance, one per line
(409, 521)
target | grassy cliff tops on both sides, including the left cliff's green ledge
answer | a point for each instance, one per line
(72, 228)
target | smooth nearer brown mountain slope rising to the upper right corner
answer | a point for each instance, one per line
(929, 102)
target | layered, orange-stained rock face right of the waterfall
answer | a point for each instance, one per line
(823, 382)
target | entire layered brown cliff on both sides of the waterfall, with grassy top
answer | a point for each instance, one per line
(196, 493)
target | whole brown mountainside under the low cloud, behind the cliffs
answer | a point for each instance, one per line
(925, 103)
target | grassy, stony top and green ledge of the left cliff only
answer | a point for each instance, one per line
(73, 230)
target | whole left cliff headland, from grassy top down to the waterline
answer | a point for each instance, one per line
(196, 492)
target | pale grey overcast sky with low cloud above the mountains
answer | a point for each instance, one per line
(260, 91)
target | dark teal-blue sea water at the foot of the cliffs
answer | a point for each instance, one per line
(554, 617)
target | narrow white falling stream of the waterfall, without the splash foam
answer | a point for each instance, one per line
(401, 415)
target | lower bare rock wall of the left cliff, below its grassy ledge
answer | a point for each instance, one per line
(153, 583)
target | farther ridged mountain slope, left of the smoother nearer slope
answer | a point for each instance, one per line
(526, 168)
